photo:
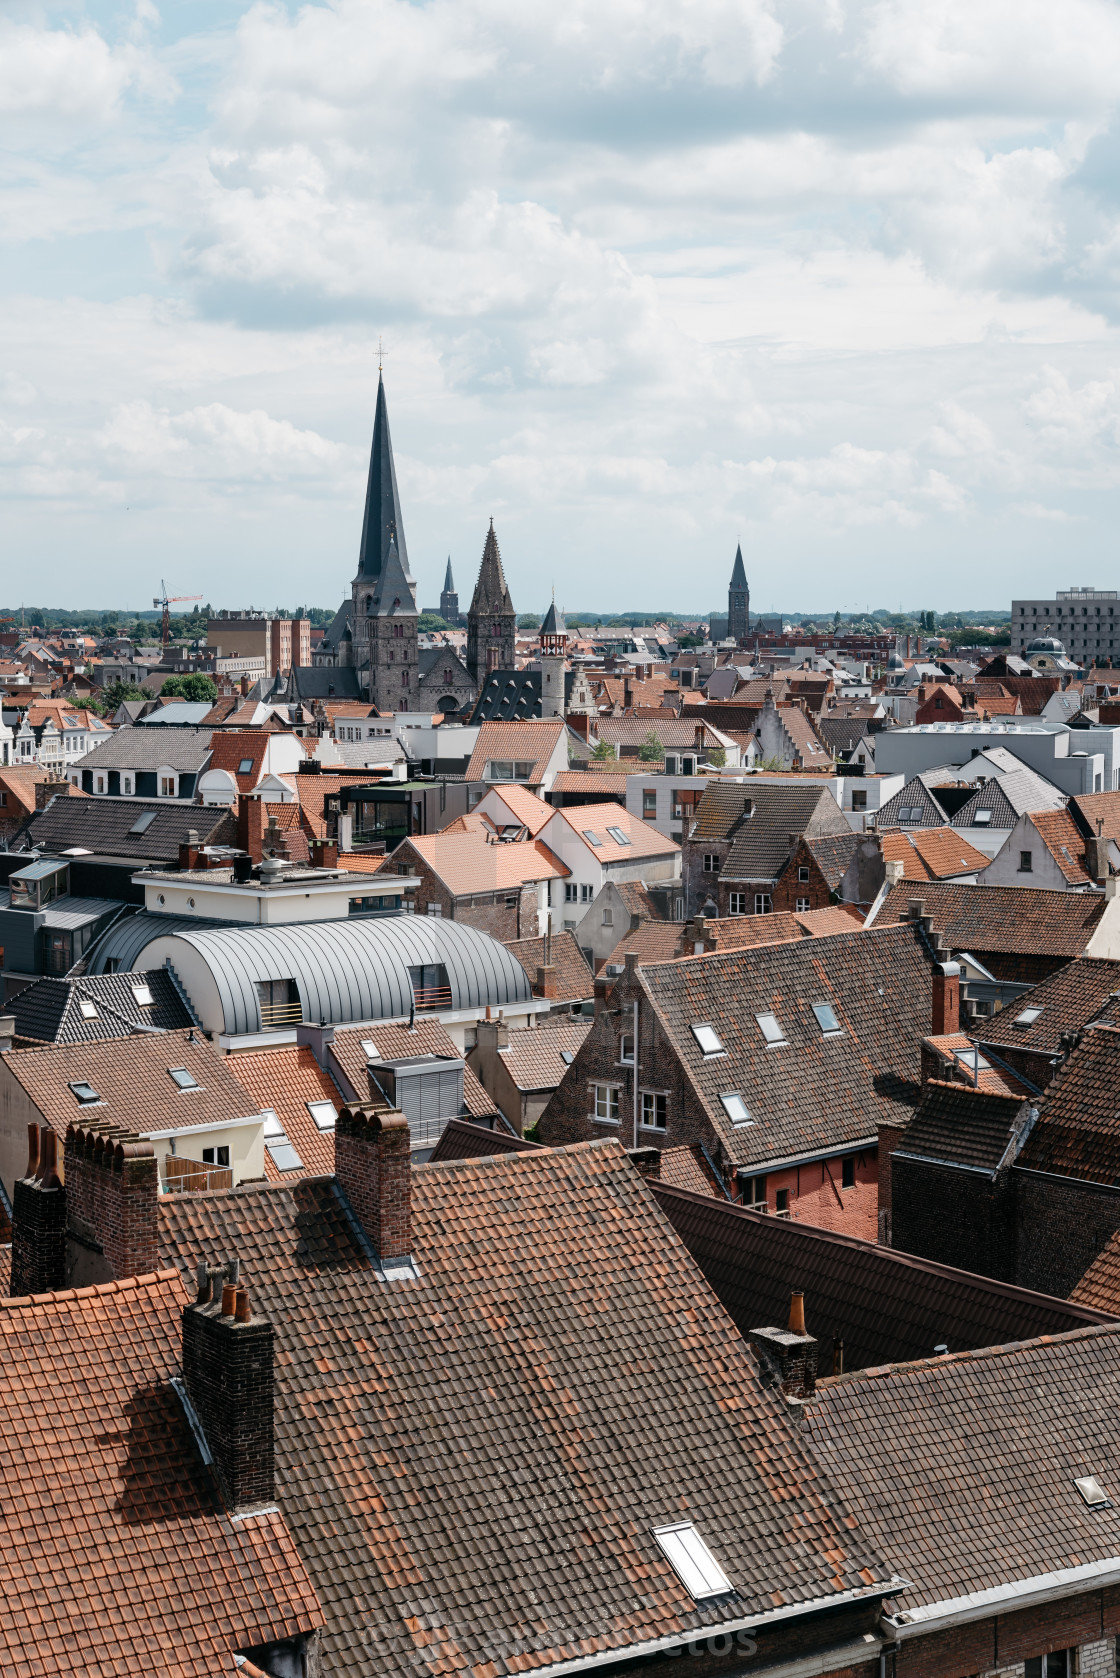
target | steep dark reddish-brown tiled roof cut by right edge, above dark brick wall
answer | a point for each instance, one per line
(1079, 1123)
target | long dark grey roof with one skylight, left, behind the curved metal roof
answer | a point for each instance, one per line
(105, 826)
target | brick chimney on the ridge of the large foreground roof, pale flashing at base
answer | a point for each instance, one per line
(374, 1169)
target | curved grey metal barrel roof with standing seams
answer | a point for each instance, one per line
(352, 971)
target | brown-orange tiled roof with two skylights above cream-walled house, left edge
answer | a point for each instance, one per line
(132, 1078)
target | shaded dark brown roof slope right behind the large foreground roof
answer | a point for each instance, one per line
(886, 1306)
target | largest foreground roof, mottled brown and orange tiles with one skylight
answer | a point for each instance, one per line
(523, 1518)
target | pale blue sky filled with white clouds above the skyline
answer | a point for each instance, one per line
(835, 281)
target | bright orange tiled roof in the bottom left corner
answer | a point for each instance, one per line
(107, 1499)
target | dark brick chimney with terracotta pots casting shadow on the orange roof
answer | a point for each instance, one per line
(228, 1373)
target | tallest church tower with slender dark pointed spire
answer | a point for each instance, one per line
(384, 620)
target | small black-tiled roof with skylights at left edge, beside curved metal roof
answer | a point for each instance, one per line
(50, 1011)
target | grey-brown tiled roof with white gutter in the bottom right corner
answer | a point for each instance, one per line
(963, 1467)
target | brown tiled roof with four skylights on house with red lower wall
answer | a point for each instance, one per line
(817, 1092)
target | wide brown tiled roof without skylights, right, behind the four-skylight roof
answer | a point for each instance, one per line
(1002, 919)
